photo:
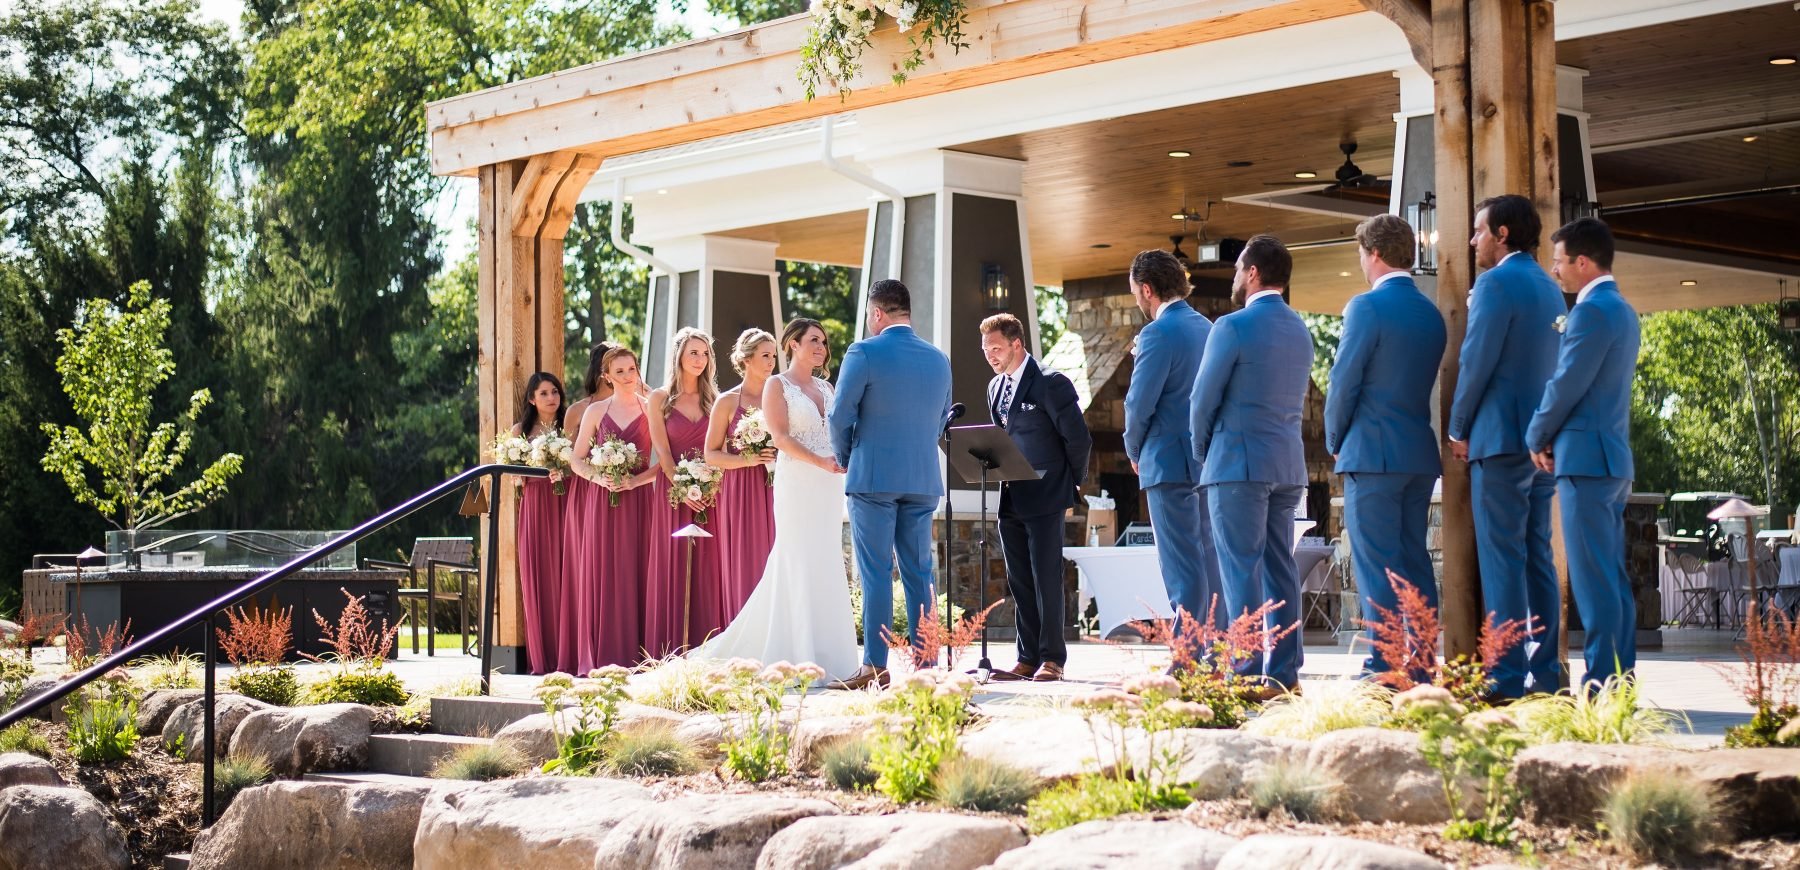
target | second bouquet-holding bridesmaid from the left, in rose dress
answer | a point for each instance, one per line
(606, 563)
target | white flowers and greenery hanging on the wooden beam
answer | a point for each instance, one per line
(841, 33)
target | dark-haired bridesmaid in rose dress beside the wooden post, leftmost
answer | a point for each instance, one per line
(541, 521)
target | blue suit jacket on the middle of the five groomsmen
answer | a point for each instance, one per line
(1378, 412)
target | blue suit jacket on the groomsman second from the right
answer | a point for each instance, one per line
(1507, 356)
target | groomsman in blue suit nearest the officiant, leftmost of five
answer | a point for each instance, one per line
(1156, 433)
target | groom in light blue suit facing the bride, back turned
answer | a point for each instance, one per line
(894, 395)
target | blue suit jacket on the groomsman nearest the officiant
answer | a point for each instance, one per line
(1156, 404)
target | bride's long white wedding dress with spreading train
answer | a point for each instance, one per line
(800, 610)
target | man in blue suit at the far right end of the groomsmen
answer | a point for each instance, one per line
(1583, 435)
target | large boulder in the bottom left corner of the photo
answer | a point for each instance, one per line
(46, 828)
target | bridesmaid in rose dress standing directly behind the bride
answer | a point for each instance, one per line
(746, 498)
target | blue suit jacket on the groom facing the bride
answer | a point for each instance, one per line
(894, 395)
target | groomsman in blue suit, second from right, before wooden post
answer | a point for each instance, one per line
(1507, 358)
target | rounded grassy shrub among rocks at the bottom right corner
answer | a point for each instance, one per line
(1660, 817)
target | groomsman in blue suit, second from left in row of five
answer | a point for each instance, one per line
(1246, 435)
